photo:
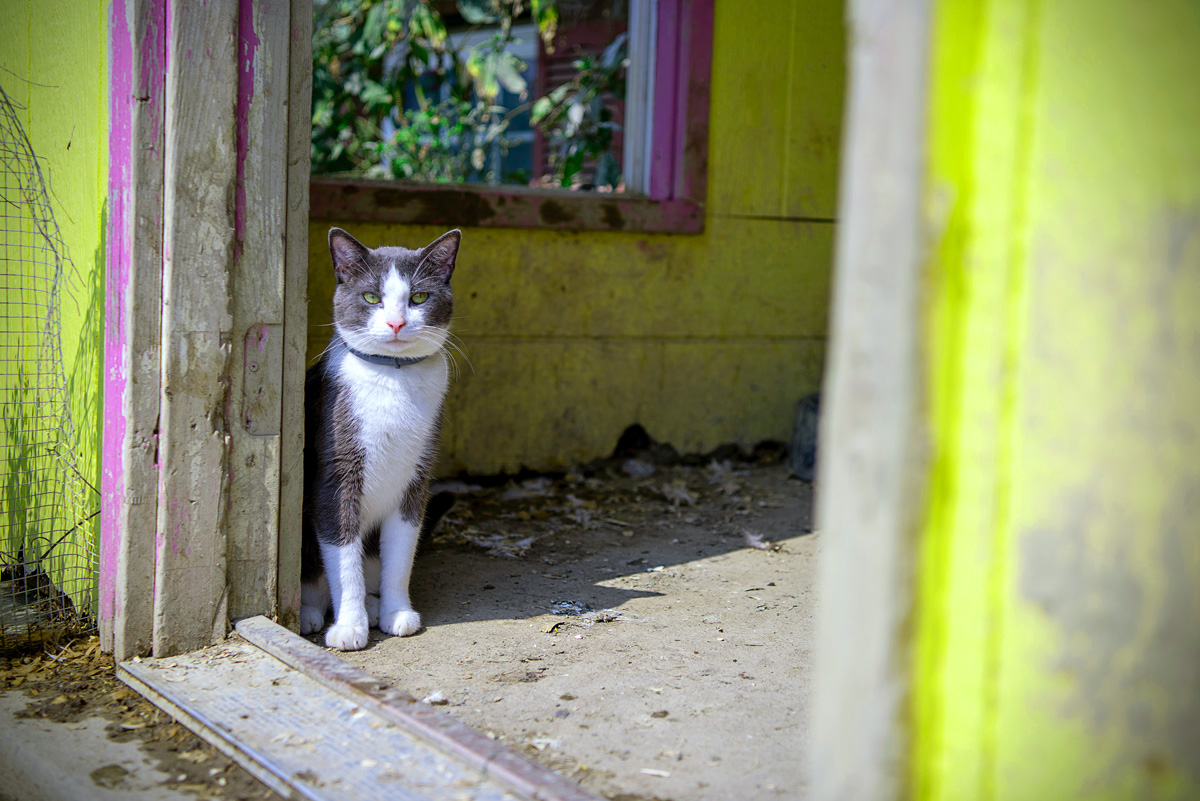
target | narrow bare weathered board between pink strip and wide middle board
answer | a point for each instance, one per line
(134, 613)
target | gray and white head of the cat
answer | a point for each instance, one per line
(393, 302)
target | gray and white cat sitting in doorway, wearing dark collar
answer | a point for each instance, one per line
(374, 407)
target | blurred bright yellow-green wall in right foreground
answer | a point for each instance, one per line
(1058, 618)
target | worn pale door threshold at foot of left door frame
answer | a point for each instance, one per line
(309, 725)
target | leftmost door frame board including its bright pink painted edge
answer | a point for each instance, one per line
(135, 312)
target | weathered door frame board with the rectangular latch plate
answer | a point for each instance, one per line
(256, 294)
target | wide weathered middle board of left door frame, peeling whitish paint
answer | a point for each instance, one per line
(199, 240)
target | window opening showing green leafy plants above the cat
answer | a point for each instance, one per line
(484, 92)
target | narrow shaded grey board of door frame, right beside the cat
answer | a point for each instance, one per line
(296, 312)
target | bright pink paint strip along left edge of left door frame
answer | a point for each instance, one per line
(119, 260)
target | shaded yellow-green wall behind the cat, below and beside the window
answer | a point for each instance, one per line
(701, 339)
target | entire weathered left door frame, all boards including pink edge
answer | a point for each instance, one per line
(206, 320)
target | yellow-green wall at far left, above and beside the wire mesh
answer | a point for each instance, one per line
(55, 65)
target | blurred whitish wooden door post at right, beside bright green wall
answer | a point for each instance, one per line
(874, 444)
